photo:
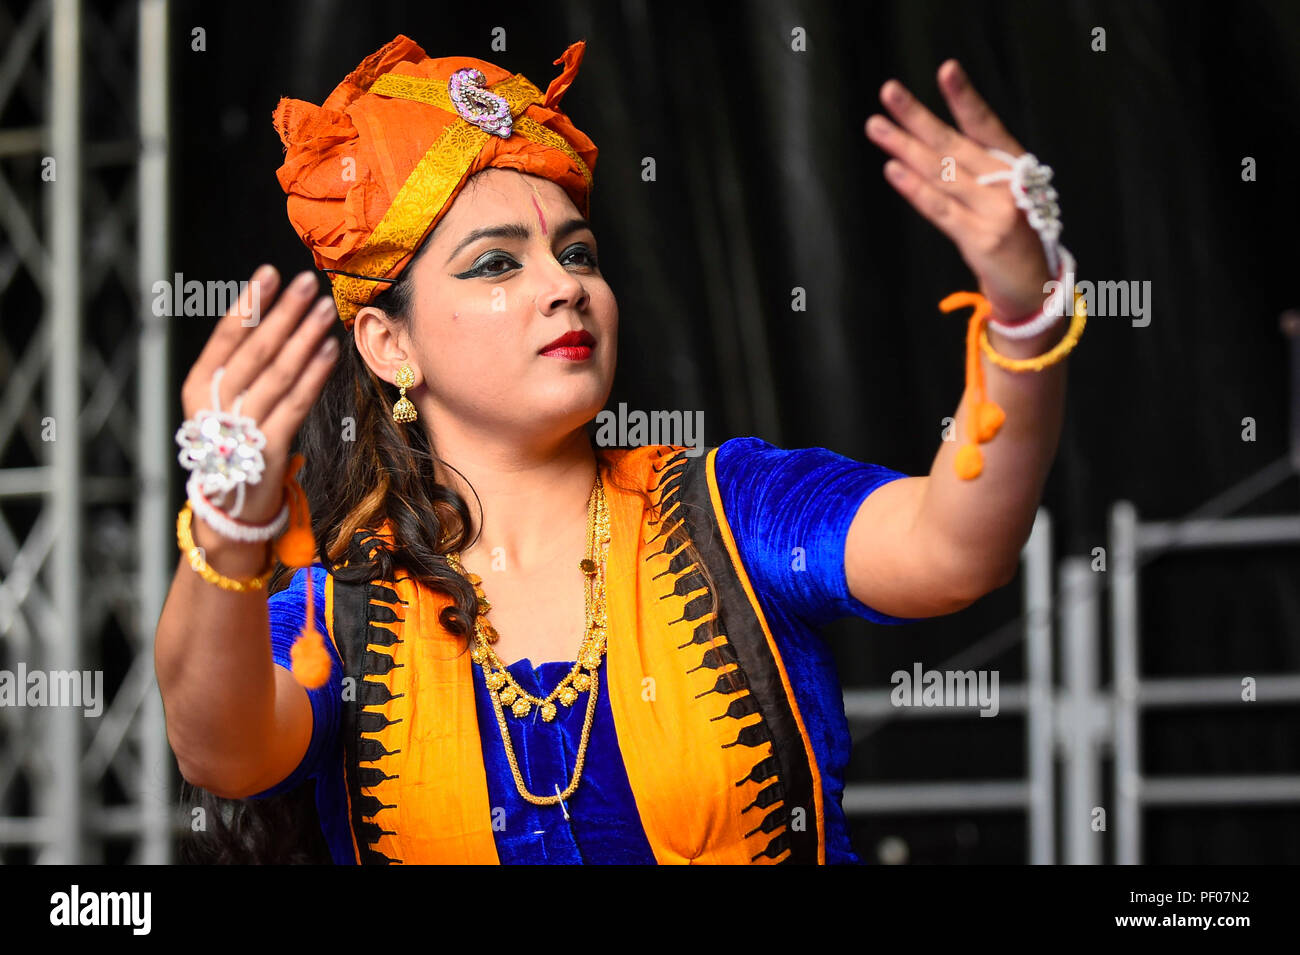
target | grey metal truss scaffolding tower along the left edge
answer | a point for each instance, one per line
(85, 462)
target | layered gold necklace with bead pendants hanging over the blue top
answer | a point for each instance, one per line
(502, 688)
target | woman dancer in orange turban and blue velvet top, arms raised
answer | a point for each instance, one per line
(502, 644)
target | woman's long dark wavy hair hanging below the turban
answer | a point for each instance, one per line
(388, 472)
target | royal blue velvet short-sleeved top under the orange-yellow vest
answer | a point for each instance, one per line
(790, 513)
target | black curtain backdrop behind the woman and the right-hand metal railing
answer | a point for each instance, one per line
(768, 183)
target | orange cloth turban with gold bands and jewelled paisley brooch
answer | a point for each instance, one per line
(371, 172)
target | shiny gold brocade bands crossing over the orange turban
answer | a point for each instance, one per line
(435, 179)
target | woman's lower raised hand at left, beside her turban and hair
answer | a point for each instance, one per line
(281, 358)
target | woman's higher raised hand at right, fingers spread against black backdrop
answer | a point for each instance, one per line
(935, 168)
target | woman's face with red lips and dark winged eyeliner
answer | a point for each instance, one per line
(510, 270)
